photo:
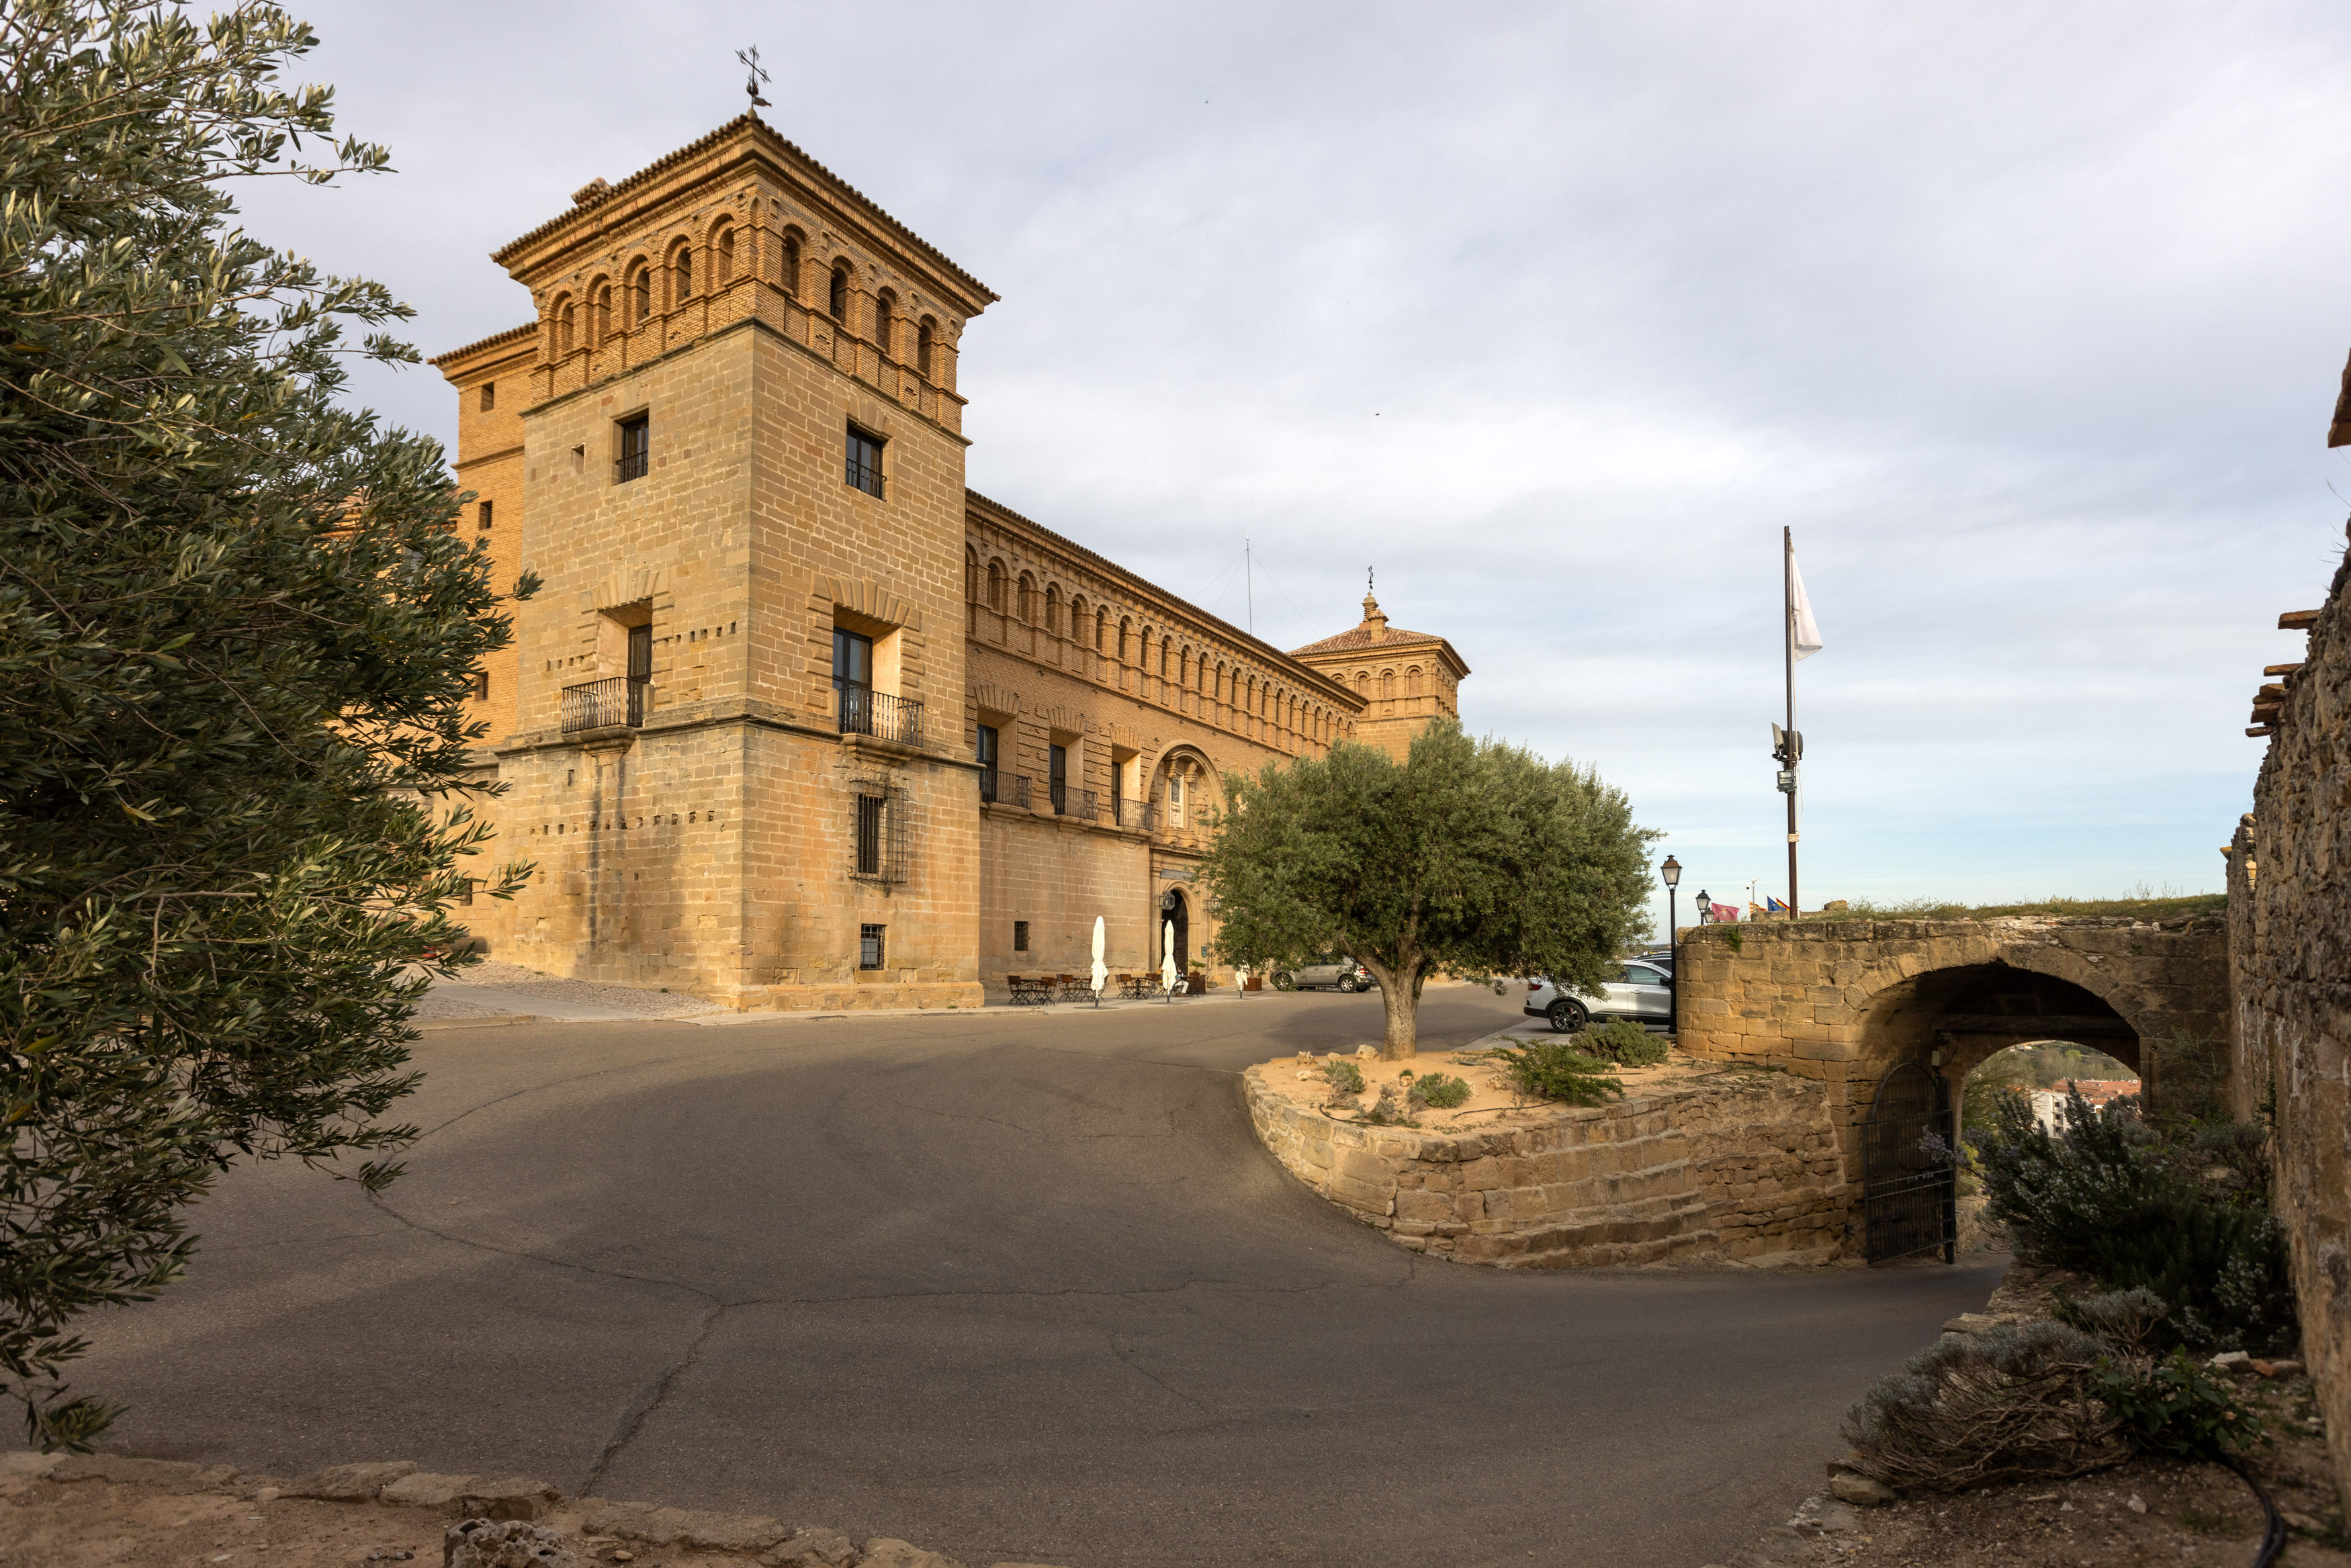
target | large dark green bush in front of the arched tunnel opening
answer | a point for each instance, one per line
(2126, 1202)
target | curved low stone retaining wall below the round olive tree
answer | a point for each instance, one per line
(1736, 1167)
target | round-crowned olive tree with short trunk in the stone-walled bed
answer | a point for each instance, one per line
(1473, 857)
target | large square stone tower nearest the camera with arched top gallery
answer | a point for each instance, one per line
(732, 718)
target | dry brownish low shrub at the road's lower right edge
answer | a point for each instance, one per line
(2009, 1405)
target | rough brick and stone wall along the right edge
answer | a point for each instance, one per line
(2291, 970)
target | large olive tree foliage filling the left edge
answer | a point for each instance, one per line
(236, 641)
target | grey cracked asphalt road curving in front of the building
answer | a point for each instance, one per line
(1007, 1287)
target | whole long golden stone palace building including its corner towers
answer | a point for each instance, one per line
(798, 721)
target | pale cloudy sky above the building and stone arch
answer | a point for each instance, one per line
(2025, 319)
